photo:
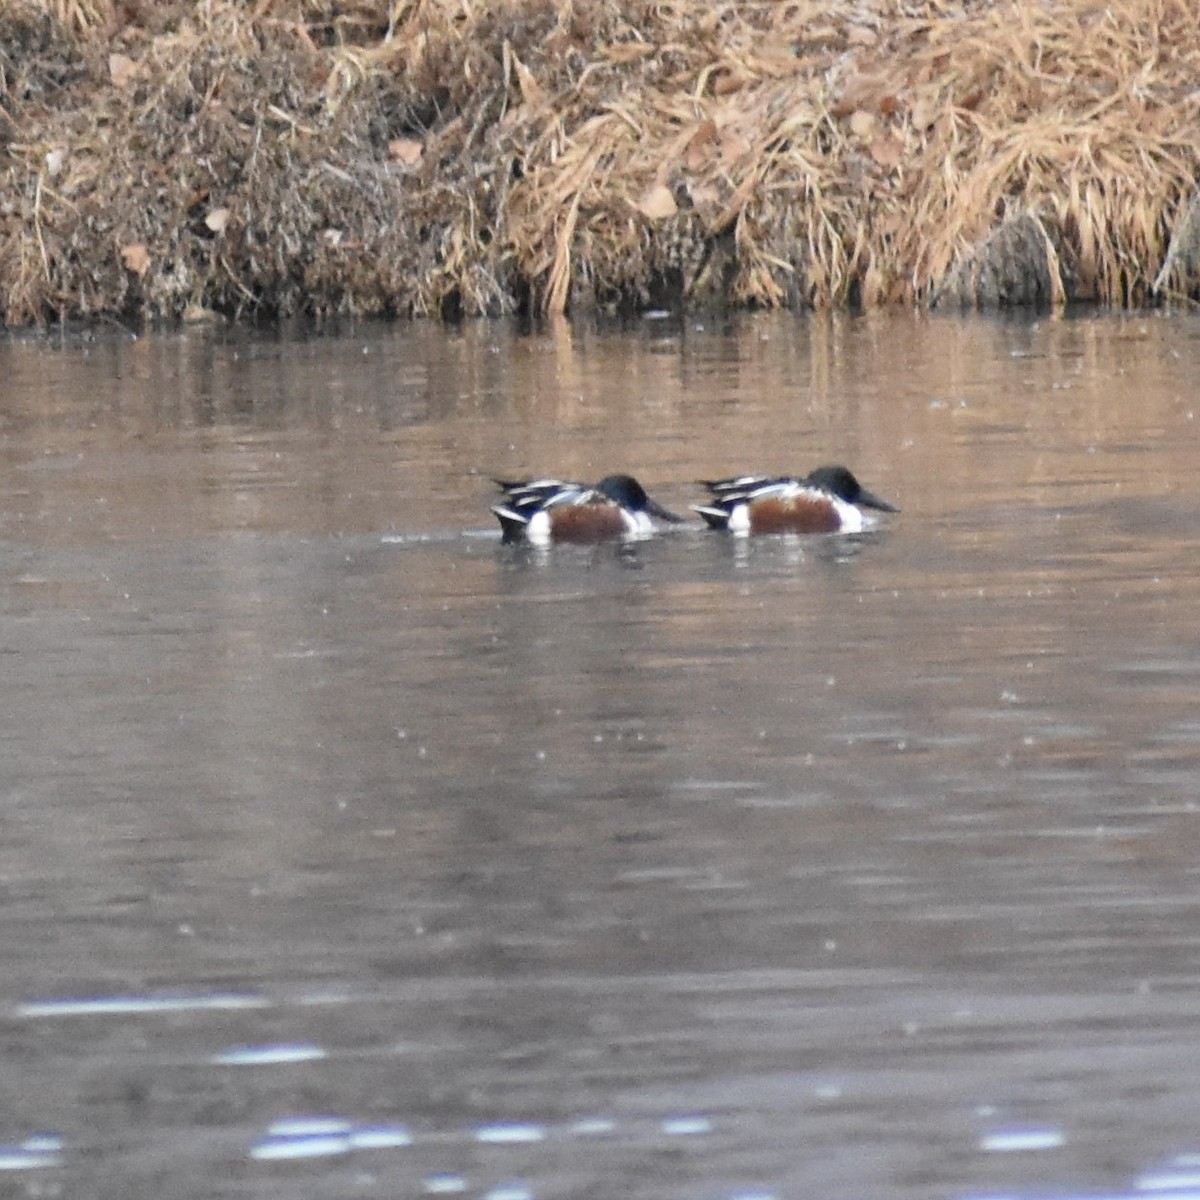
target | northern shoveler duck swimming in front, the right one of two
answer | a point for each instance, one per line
(827, 501)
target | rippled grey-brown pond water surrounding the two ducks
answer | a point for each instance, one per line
(697, 869)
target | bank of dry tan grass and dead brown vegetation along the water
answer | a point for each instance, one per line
(446, 157)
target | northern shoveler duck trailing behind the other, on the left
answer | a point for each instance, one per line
(553, 511)
